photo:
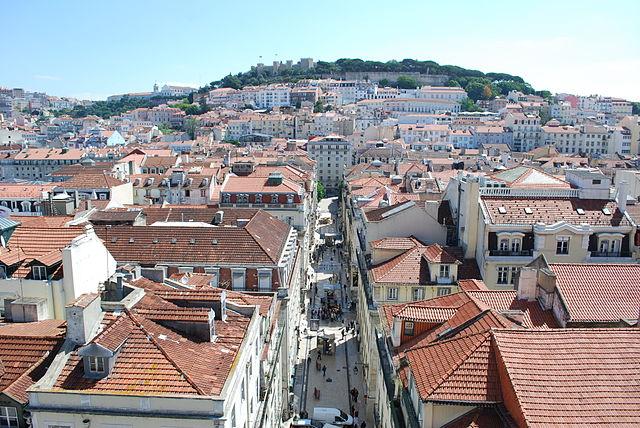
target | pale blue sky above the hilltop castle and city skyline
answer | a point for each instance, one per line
(91, 49)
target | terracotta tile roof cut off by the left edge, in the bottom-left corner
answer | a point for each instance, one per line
(25, 348)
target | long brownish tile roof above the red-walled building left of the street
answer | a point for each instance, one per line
(261, 241)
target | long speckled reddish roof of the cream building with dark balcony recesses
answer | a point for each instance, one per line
(553, 210)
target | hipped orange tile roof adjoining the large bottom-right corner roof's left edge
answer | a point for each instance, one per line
(462, 369)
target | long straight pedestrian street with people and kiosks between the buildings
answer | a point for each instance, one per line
(328, 303)
